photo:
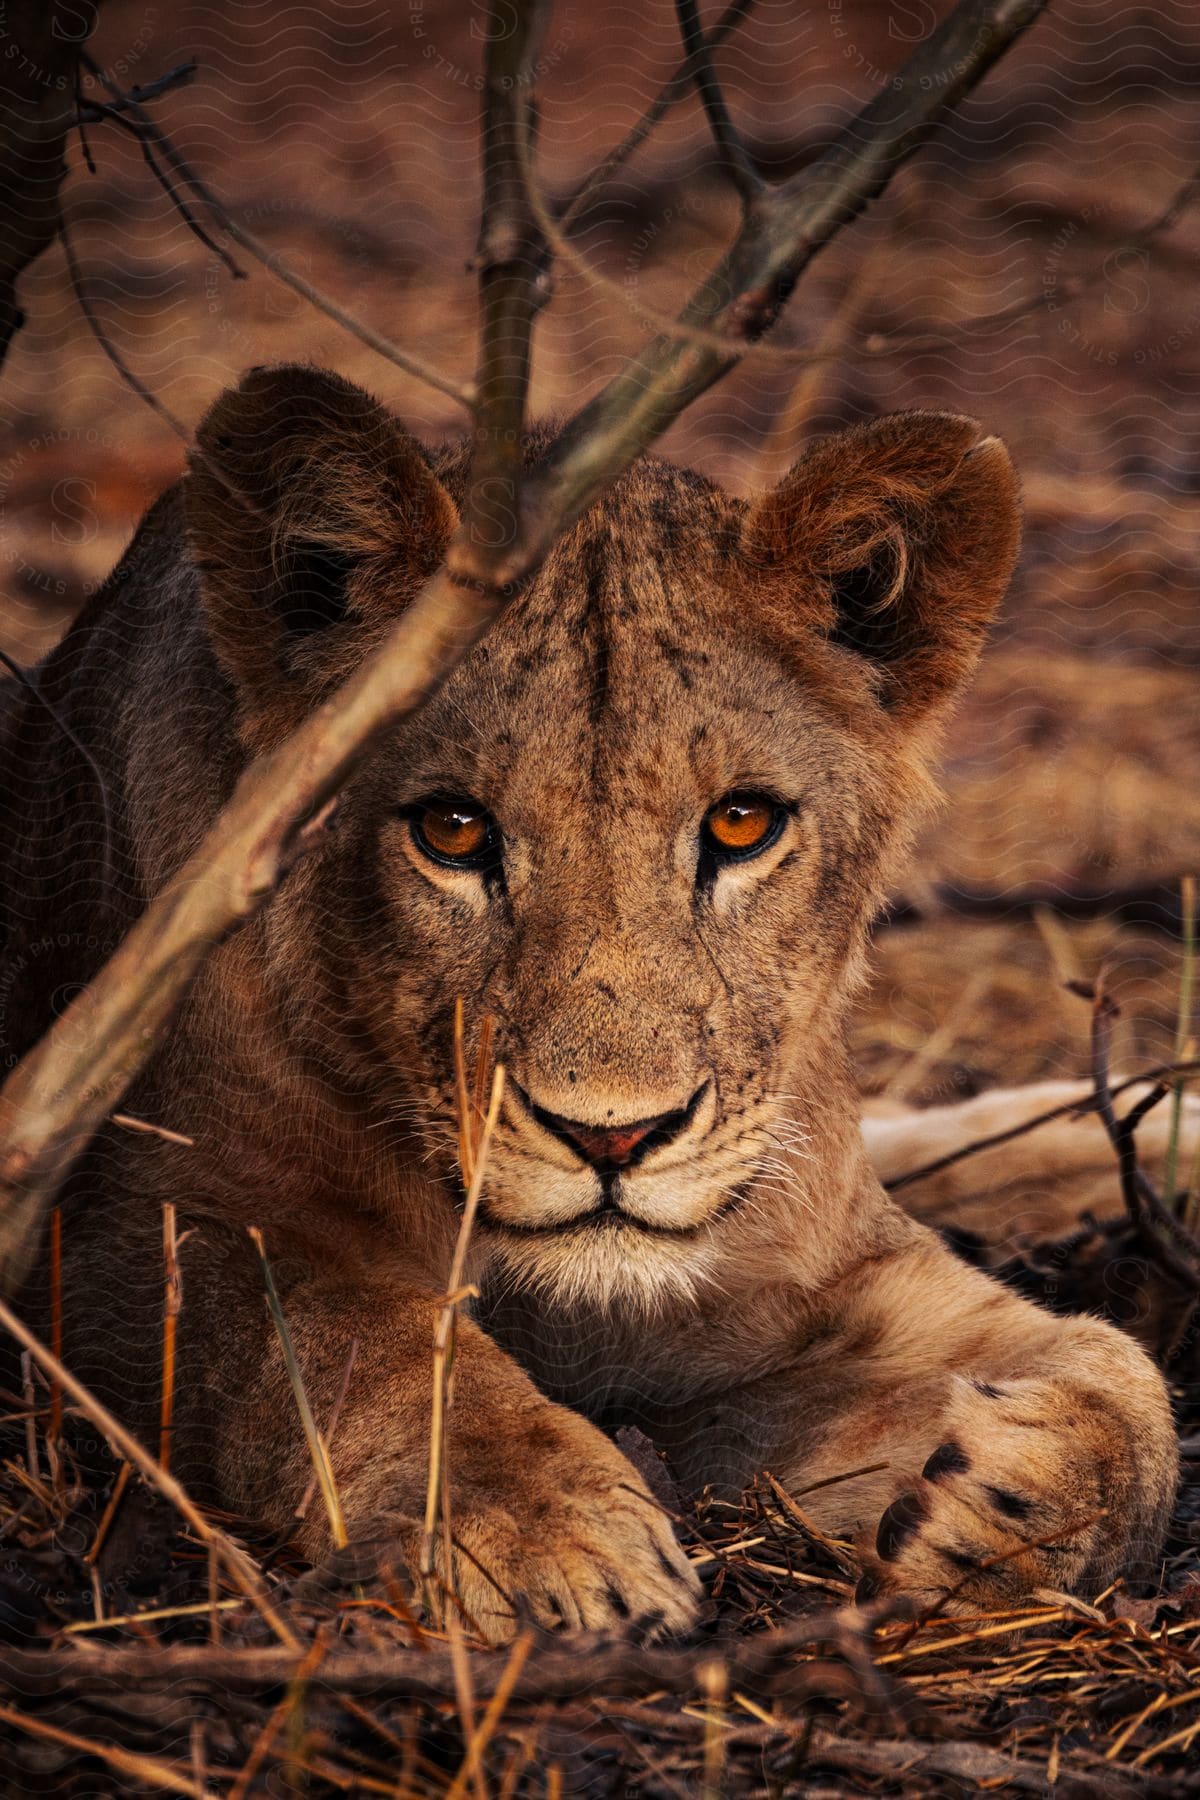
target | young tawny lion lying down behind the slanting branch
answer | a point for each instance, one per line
(645, 827)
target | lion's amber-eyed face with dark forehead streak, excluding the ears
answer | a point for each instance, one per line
(632, 836)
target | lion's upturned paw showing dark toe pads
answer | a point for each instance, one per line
(1008, 1507)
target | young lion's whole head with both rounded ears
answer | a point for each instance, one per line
(647, 822)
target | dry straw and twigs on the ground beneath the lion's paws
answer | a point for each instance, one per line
(791, 1682)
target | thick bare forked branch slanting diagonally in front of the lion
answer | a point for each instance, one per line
(75, 1077)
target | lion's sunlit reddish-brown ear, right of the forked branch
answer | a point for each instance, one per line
(897, 541)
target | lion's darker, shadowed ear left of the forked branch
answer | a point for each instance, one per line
(310, 512)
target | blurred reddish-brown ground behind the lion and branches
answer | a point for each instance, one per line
(1014, 273)
